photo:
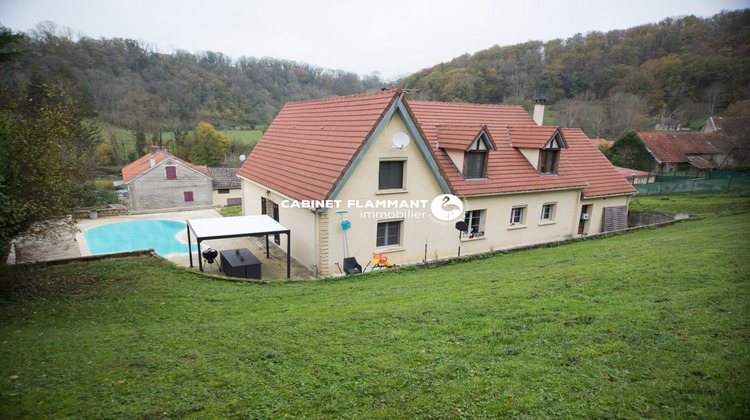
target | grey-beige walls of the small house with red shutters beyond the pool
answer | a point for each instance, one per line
(153, 190)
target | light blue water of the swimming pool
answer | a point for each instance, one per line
(132, 236)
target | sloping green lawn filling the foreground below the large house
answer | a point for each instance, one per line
(650, 324)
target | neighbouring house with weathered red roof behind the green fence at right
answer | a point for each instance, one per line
(701, 150)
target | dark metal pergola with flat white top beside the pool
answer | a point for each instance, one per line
(236, 227)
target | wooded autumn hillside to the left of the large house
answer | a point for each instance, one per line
(128, 83)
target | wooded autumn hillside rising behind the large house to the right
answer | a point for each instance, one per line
(672, 67)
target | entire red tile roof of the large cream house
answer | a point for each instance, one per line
(310, 145)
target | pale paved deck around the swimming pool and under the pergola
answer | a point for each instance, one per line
(73, 245)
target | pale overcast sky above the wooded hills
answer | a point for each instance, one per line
(391, 37)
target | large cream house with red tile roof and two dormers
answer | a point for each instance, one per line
(395, 167)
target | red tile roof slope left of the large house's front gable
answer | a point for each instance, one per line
(309, 146)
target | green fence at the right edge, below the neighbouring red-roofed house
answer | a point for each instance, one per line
(711, 182)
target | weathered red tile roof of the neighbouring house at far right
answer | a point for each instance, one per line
(674, 147)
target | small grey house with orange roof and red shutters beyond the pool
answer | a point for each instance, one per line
(159, 180)
